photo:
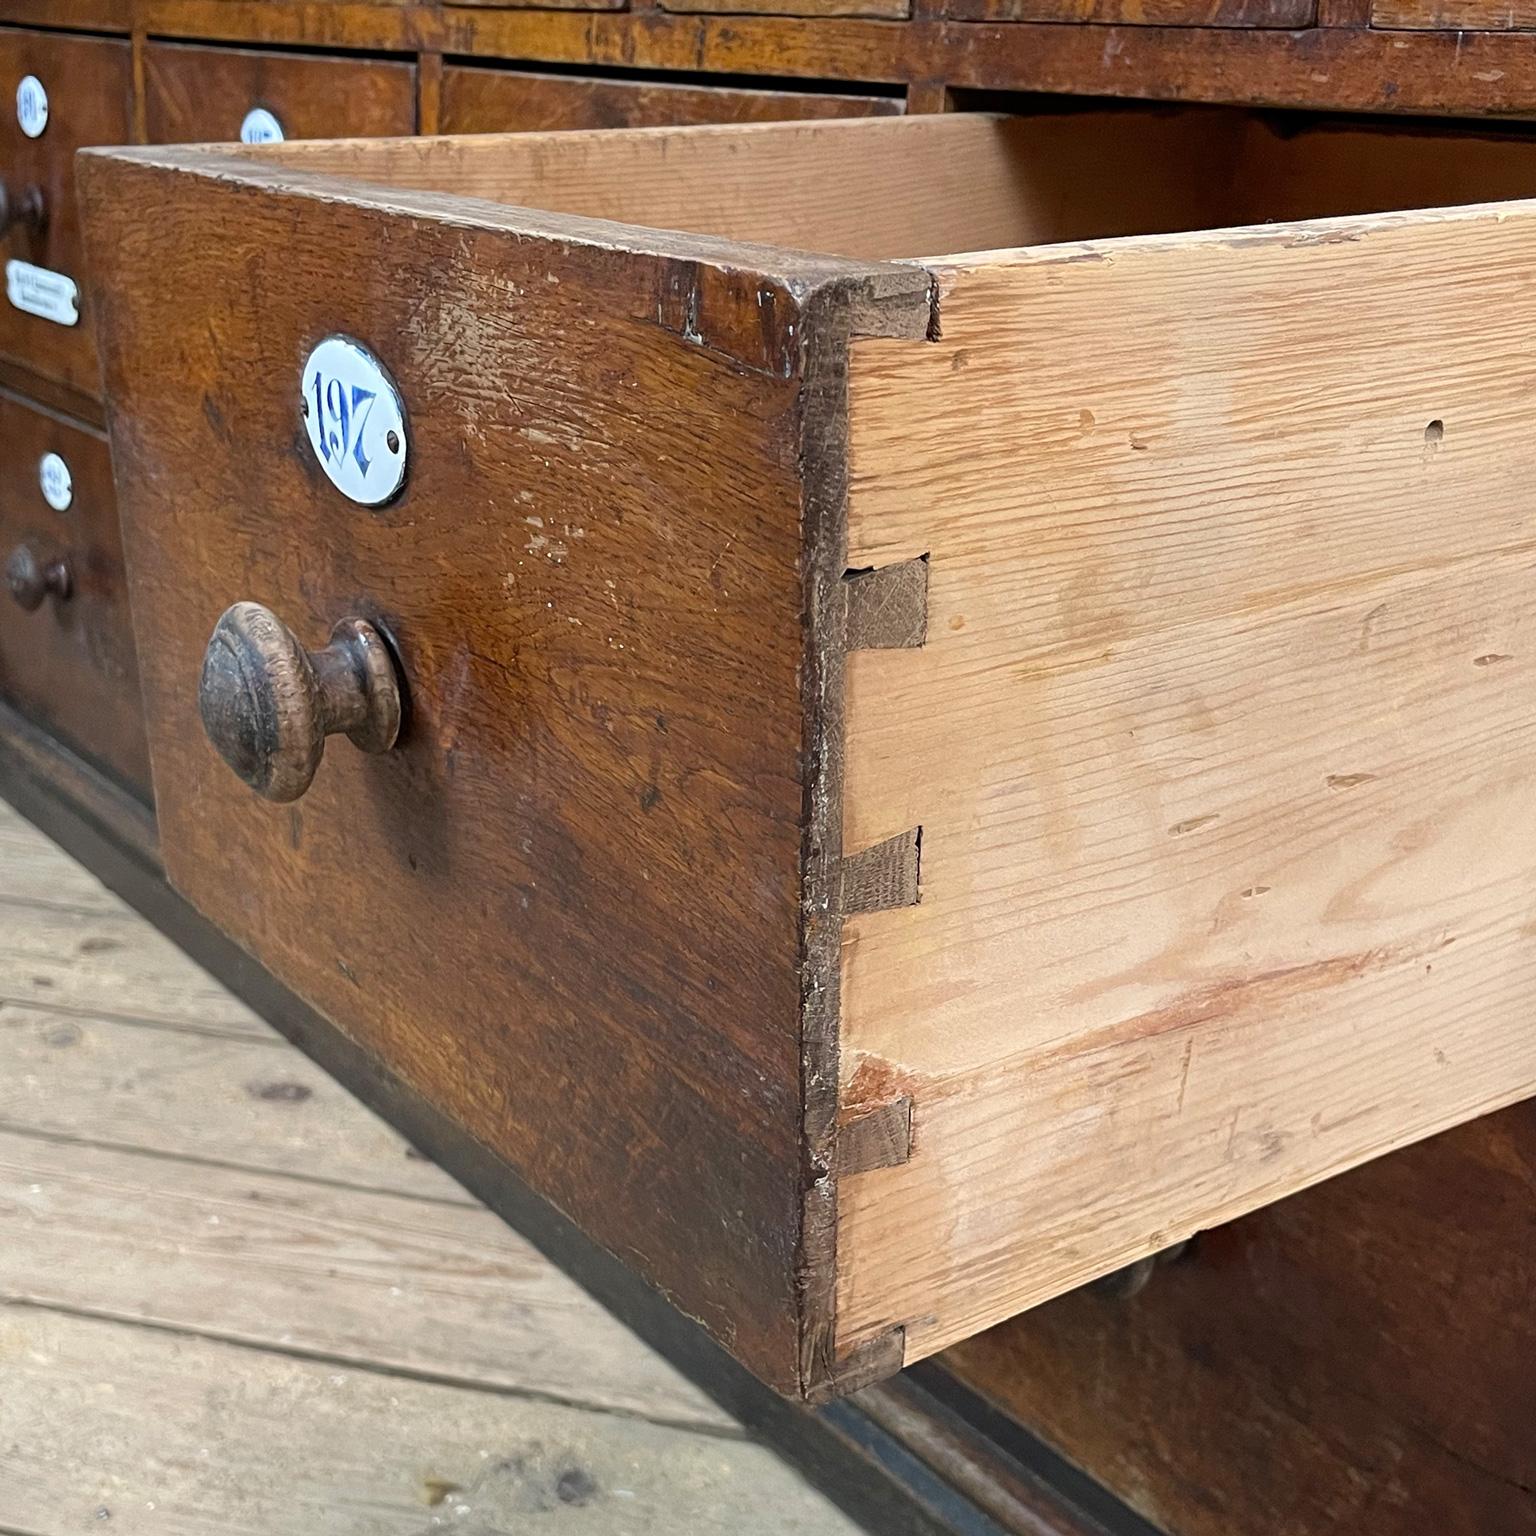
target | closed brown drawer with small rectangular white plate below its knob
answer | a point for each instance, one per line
(88, 85)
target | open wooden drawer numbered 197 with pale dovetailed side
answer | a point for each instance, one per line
(924, 778)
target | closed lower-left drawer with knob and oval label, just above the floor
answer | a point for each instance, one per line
(68, 661)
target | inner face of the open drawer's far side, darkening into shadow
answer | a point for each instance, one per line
(884, 188)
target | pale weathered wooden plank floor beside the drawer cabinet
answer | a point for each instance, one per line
(233, 1302)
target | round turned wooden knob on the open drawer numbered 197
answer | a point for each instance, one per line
(268, 704)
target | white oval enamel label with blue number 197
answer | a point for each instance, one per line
(356, 422)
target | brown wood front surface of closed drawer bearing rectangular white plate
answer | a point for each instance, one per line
(90, 91)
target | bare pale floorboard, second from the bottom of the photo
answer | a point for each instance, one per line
(379, 1280)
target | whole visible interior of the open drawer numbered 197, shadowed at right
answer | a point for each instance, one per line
(922, 187)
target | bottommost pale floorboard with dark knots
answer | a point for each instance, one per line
(334, 1451)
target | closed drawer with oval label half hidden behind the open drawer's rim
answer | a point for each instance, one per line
(197, 94)
